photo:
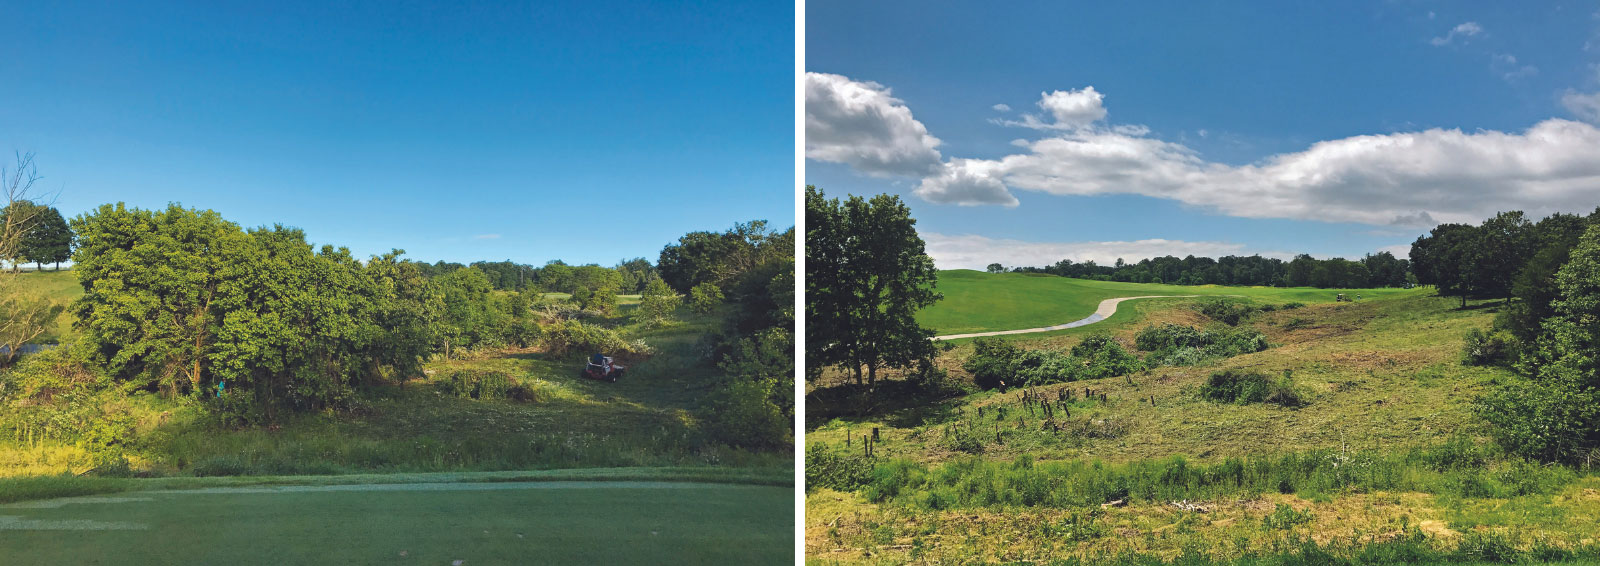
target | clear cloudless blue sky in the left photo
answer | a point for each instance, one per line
(583, 132)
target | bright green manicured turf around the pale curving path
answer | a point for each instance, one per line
(978, 303)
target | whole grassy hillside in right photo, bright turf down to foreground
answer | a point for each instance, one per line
(1386, 448)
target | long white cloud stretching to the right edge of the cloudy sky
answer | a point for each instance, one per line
(1383, 180)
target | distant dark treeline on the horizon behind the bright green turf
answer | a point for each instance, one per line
(1382, 269)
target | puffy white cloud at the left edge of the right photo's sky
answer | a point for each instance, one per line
(862, 126)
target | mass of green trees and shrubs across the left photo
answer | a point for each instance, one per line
(258, 322)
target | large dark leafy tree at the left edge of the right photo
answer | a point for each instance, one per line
(866, 277)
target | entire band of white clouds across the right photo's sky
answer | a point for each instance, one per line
(1407, 180)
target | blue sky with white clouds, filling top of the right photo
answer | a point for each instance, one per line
(1036, 132)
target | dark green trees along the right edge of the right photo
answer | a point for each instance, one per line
(1546, 330)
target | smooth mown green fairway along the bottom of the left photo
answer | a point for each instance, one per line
(418, 524)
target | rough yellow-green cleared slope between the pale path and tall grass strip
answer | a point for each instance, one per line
(1382, 375)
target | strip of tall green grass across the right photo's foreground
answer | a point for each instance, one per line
(1455, 471)
